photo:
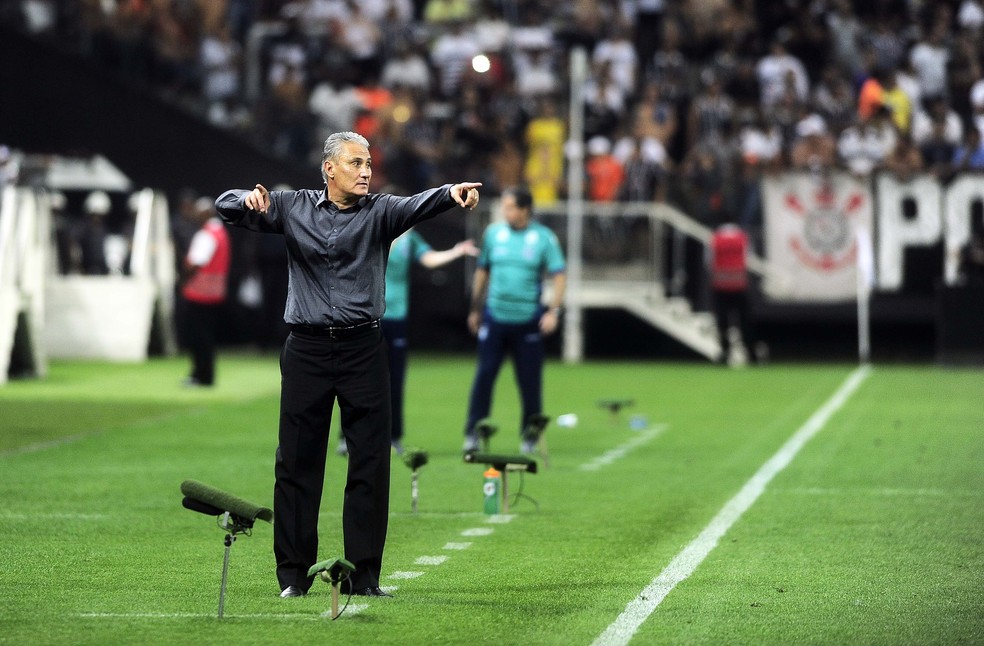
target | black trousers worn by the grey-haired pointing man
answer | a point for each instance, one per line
(315, 372)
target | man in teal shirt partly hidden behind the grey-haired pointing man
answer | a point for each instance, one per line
(405, 250)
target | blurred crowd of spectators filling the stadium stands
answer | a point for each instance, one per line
(687, 100)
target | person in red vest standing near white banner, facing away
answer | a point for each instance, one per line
(729, 285)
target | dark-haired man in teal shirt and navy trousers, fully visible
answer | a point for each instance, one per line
(507, 314)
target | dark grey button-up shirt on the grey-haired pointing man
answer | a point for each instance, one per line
(336, 258)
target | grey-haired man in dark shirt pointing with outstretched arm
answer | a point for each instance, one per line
(338, 241)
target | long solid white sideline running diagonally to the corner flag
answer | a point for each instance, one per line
(683, 564)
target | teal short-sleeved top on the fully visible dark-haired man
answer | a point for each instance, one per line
(517, 262)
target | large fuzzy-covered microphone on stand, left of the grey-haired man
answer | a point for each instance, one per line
(235, 516)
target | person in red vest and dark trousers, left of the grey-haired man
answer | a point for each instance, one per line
(206, 272)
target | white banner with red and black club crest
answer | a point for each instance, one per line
(810, 225)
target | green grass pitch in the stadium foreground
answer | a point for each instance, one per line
(872, 534)
